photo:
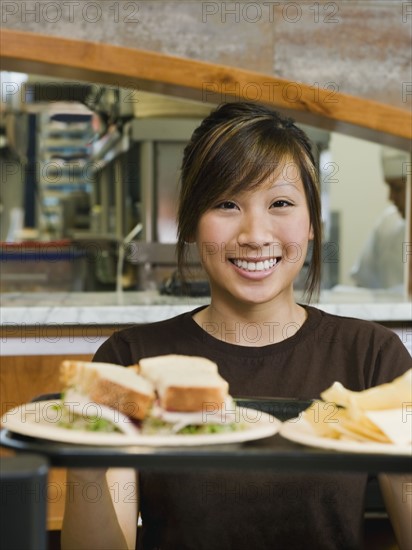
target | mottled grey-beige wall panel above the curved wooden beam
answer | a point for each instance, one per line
(357, 47)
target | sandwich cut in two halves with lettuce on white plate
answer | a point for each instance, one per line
(160, 395)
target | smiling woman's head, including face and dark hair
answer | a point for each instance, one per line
(240, 150)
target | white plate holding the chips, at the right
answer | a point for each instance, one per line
(300, 431)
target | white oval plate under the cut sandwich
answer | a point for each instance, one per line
(39, 420)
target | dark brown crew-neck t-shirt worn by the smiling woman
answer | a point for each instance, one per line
(236, 510)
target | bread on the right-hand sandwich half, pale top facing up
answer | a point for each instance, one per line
(185, 383)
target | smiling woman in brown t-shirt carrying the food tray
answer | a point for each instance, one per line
(249, 199)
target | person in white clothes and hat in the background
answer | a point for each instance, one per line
(380, 264)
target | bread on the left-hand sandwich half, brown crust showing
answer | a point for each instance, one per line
(111, 385)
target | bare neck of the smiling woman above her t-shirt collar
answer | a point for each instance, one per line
(259, 325)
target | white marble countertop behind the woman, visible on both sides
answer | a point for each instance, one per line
(109, 308)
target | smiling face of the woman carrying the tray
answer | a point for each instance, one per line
(253, 245)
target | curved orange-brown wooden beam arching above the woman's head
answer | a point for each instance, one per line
(187, 78)
